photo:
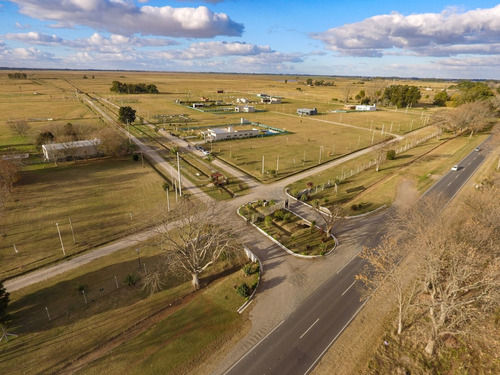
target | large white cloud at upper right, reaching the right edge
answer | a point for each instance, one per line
(428, 34)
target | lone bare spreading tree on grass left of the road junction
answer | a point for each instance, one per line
(202, 235)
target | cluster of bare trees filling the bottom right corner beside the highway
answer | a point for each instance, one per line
(444, 275)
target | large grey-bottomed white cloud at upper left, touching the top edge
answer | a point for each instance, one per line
(125, 18)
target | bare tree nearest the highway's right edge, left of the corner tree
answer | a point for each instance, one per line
(385, 268)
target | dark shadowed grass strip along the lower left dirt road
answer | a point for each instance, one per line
(92, 295)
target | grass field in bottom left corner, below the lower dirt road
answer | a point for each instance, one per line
(123, 317)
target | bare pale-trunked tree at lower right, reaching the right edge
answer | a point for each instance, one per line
(459, 285)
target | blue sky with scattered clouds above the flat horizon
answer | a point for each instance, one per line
(428, 39)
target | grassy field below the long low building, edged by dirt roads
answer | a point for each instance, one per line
(98, 196)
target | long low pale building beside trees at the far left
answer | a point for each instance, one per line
(79, 149)
